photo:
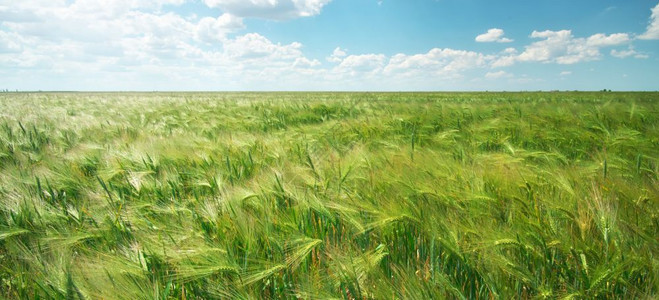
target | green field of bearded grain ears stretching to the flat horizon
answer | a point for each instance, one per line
(329, 195)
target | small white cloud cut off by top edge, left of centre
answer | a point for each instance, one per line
(270, 9)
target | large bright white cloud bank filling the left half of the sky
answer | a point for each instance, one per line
(85, 39)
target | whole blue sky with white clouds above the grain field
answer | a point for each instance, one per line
(329, 45)
